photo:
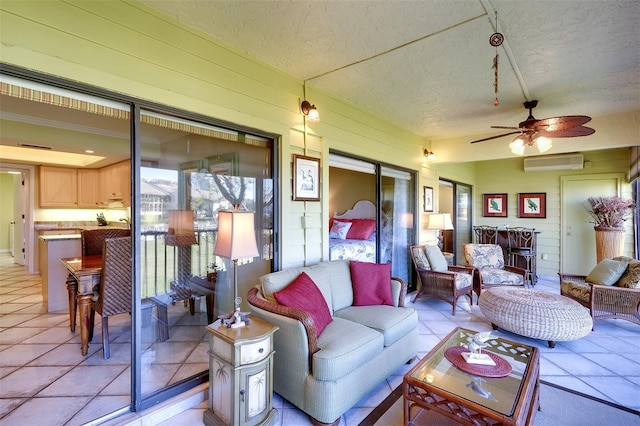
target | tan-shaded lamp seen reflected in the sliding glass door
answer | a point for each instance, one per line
(181, 234)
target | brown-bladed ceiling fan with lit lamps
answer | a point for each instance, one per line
(538, 132)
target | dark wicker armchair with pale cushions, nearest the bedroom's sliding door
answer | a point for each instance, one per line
(436, 279)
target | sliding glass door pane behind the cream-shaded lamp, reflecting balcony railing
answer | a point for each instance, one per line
(190, 171)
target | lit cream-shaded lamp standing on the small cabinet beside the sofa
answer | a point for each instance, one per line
(236, 240)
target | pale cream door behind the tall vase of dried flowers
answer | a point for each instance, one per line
(577, 238)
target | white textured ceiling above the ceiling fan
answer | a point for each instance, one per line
(427, 65)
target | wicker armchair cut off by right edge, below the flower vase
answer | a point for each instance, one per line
(620, 300)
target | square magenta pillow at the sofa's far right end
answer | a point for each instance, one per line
(371, 283)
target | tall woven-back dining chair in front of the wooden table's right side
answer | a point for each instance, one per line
(114, 294)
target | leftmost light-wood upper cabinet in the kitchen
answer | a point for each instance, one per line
(58, 187)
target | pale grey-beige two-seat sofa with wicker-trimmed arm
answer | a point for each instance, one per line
(325, 376)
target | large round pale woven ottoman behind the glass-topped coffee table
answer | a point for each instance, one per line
(535, 314)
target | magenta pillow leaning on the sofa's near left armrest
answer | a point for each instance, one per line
(304, 294)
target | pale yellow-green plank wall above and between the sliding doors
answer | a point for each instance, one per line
(127, 48)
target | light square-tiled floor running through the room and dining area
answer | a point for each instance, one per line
(40, 360)
